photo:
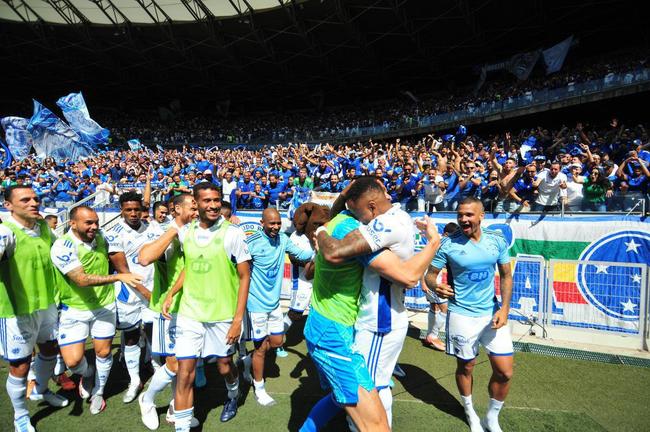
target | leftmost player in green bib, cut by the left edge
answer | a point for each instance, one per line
(28, 314)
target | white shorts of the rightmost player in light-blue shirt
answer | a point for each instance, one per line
(464, 334)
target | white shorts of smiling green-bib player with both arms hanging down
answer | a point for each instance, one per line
(195, 339)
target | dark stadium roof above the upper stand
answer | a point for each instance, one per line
(265, 53)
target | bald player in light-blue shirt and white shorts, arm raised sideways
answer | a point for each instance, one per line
(265, 319)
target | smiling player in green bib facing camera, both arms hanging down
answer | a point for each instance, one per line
(214, 284)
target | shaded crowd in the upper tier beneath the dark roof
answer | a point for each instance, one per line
(394, 114)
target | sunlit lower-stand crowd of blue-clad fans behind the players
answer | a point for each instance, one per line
(579, 168)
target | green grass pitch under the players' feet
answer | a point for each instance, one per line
(548, 394)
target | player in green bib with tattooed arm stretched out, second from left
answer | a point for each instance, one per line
(87, 302)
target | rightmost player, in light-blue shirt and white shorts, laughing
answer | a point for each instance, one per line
(474, 316)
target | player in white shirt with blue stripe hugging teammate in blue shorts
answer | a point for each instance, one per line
(385, 242)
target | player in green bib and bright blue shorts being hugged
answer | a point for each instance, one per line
(329, 333)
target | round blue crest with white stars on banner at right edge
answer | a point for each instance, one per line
(615, 289)
